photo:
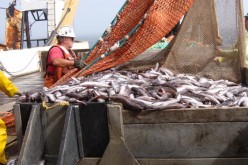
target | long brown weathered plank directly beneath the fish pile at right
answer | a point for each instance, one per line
(186, 116)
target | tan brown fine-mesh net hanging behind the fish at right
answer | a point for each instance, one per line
(210, 43)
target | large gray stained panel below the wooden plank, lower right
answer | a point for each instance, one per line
(188, 140)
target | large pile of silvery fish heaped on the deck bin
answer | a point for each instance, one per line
(154, 89)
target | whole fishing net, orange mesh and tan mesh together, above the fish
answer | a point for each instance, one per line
(210, 41)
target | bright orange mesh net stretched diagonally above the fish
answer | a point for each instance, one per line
(159, 18)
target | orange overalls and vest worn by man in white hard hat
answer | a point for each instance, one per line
(51, 78)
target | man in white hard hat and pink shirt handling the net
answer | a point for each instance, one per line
(60, 57)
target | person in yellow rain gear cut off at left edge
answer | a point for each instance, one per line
(10, 90)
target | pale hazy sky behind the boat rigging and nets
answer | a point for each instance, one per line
(91, 19)
